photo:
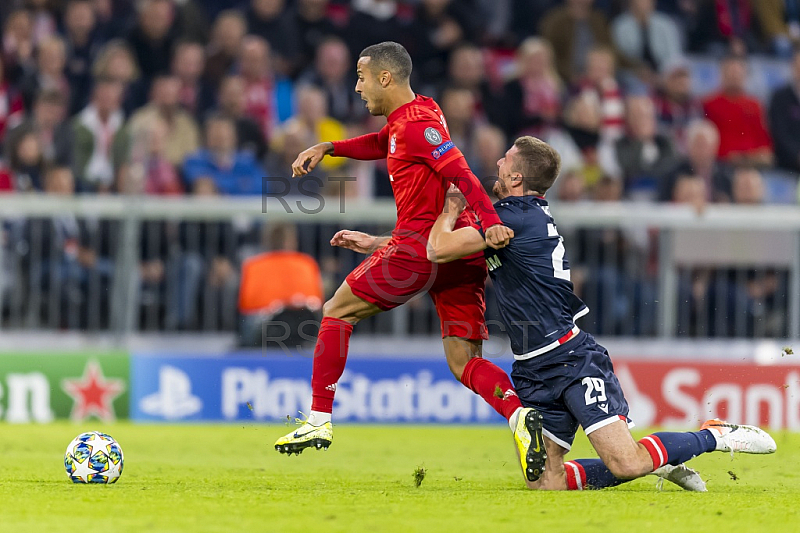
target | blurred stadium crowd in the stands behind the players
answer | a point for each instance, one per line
(195, 97)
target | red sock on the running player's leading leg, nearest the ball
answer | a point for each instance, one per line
(330, 355)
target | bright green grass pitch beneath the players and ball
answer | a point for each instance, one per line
(229, 478)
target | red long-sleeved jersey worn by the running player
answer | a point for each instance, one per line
(422, 162)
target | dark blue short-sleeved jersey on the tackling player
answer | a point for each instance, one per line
(531, 275)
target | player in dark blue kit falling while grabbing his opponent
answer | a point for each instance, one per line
(560, 370)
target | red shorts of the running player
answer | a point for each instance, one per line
(389, 278)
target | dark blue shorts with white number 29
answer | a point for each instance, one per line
(572, 385)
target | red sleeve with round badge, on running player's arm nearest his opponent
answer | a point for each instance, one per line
(428, 142)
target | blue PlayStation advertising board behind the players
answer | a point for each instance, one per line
(256, 388)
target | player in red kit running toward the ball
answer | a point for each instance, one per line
(422, 162)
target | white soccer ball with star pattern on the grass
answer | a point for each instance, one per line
(93, 457)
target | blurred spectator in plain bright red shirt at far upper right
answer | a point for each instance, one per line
(744, 138)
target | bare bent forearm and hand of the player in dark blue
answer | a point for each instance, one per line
(445, 244)
